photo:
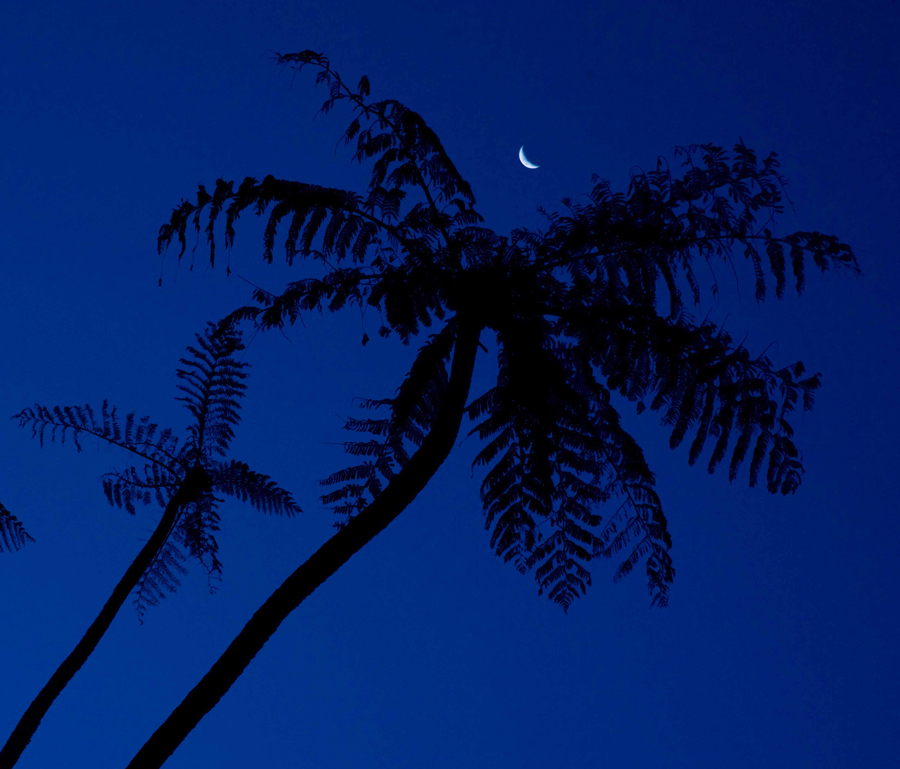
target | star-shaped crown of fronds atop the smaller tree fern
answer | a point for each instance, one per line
(210, 381)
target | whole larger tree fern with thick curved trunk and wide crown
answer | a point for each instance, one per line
(592, 304)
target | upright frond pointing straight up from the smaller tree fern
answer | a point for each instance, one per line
(212, 385)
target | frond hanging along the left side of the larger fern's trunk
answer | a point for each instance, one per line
(412, 412)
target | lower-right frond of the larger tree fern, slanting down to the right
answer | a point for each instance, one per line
(698, 380)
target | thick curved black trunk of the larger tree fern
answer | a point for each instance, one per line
(322, 564)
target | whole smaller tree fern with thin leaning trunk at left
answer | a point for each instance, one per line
(183, 480)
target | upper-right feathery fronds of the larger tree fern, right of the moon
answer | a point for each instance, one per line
(625, 245)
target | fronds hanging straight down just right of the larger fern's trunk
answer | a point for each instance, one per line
(555, 454)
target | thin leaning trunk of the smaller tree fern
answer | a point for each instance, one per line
(31, 719)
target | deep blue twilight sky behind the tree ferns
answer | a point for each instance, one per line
(779, 646)
